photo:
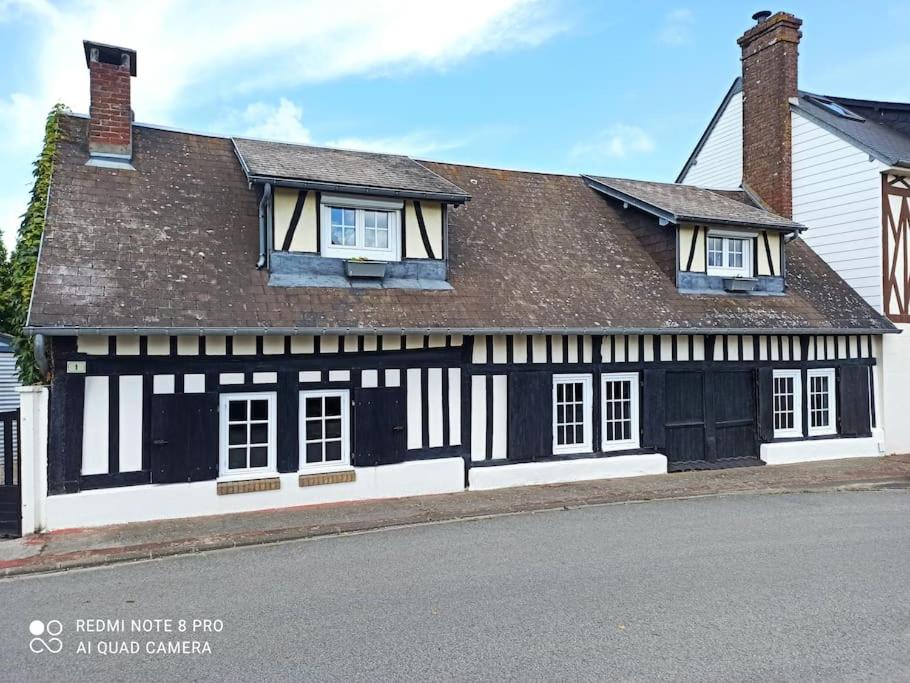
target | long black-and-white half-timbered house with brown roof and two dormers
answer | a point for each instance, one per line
(236, 324)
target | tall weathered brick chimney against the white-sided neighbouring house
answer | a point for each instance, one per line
(769, 81)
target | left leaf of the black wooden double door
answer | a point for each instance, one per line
(684, 408)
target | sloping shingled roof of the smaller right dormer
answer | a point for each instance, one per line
(677, 203)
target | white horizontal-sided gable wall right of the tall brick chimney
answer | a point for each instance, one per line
(837, 195)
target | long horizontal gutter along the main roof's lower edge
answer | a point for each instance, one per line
(337, 331)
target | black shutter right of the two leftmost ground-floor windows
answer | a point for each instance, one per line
(380, 423)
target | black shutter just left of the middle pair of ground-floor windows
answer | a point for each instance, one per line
(530, 415)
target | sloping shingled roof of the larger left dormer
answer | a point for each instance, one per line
(343, 170)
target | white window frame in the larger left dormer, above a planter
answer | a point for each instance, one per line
(361, 204)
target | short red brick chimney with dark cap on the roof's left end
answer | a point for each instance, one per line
(111, 118)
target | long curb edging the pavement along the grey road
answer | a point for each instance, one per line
(123, 554)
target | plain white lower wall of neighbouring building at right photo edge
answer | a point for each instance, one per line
(895, 378)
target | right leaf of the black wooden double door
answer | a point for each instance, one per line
(733, 411)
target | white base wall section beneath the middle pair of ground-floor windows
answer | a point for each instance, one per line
(562, 471)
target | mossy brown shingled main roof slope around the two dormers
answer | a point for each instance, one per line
(140, 250)
